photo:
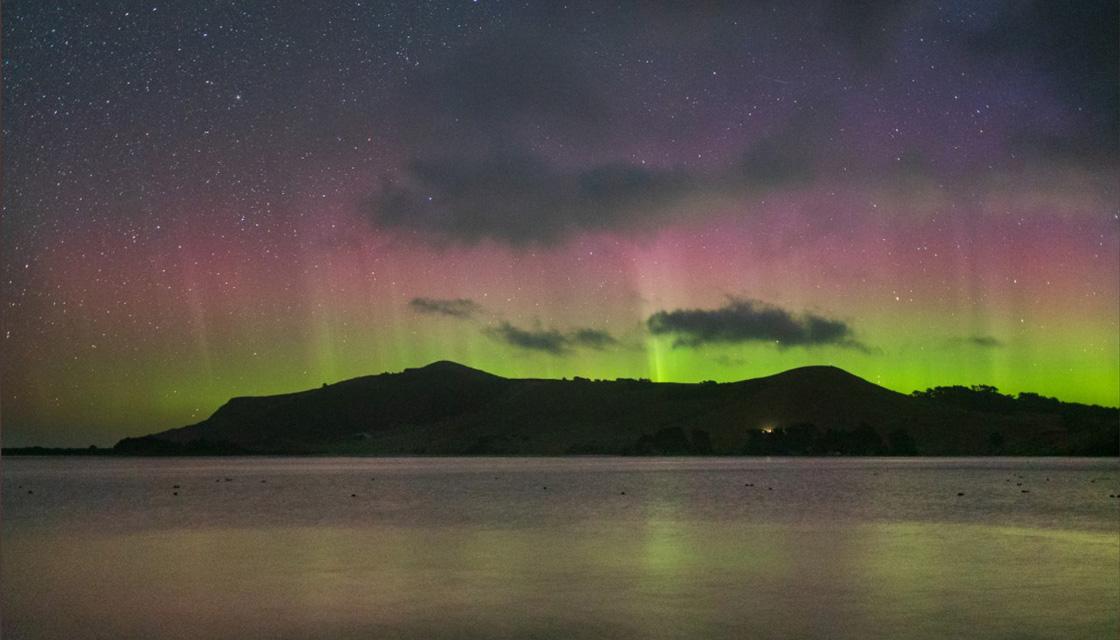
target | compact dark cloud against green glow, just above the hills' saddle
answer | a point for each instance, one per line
(751, 321)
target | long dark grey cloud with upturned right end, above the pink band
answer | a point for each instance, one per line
(521, 199)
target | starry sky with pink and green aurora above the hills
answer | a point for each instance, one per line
(214, 199)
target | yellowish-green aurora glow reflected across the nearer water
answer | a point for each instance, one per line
(666, 577)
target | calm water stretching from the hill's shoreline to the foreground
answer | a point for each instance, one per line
(480, 549)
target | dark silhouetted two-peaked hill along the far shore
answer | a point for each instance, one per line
(450, 410)
